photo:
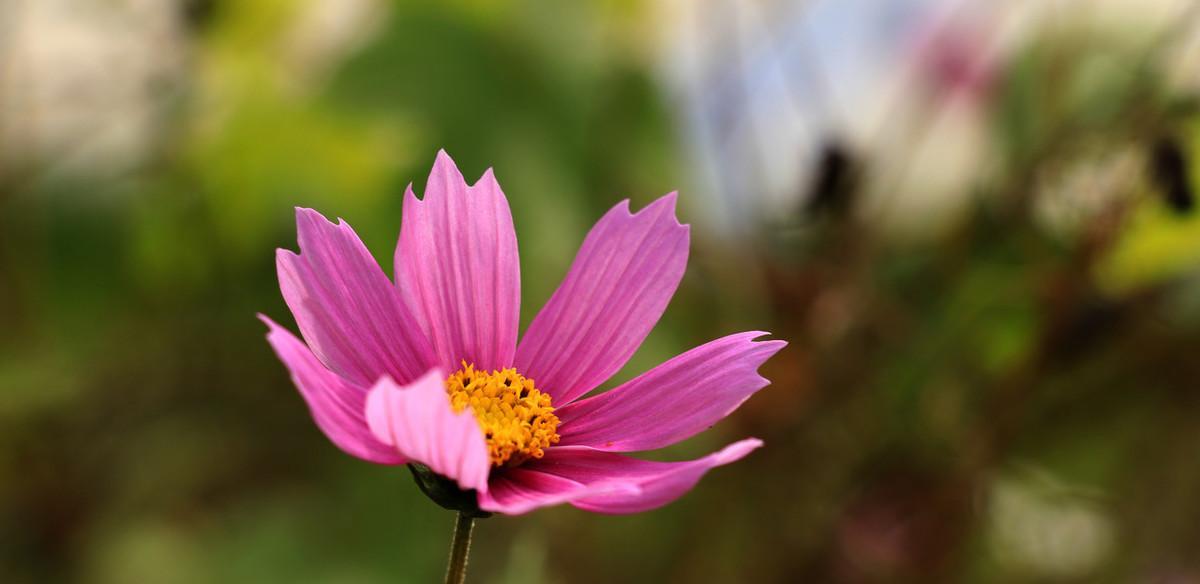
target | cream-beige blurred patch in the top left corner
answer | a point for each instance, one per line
(83, 83)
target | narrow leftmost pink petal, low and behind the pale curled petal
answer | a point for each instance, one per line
(337, 405)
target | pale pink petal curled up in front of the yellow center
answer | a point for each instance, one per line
(419, 423)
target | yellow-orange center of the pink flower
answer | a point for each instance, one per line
(518, 420)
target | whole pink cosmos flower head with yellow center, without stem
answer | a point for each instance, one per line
(429, 371)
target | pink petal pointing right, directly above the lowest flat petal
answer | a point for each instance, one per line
(674, 401)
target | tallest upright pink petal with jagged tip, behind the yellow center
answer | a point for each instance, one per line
(457, 266)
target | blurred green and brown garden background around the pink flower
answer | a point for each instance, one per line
(974, 221)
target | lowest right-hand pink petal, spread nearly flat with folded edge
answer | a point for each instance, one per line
(658, 484)
